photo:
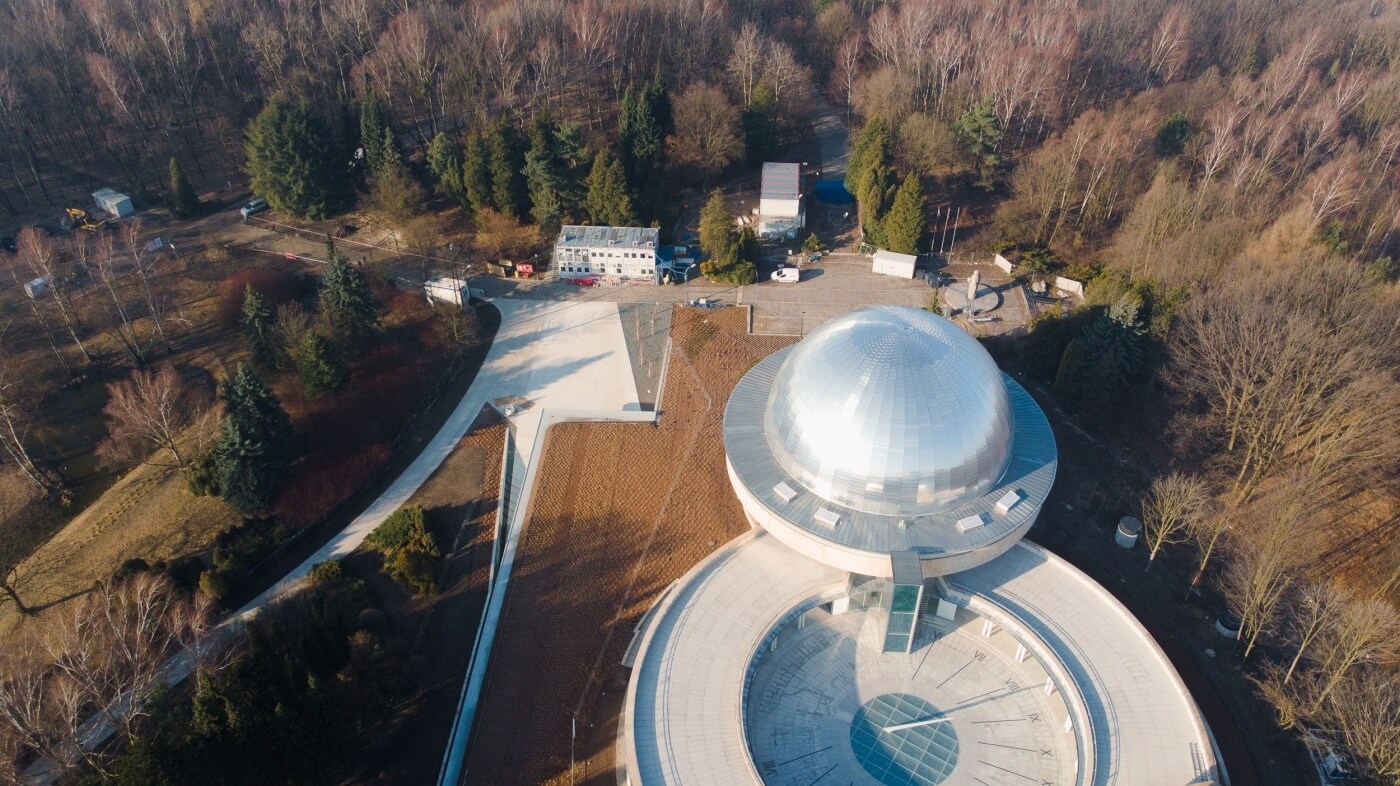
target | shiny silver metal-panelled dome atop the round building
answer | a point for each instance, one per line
(891, 411)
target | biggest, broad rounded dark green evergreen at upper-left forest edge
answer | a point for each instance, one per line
(290, 160)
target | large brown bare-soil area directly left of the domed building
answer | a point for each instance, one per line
(621, 511)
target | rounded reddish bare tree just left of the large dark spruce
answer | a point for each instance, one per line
(150, 411)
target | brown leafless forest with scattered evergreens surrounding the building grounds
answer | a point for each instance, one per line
(1221, 176)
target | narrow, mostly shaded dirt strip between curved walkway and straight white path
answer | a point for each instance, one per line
(461, 504)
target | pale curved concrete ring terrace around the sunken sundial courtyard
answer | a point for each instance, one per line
(687, 722)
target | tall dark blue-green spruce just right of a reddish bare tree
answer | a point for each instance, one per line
(255, 443)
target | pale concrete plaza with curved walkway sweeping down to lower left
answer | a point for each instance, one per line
(549, 354)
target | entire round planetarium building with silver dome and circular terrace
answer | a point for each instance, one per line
(884, 623)
